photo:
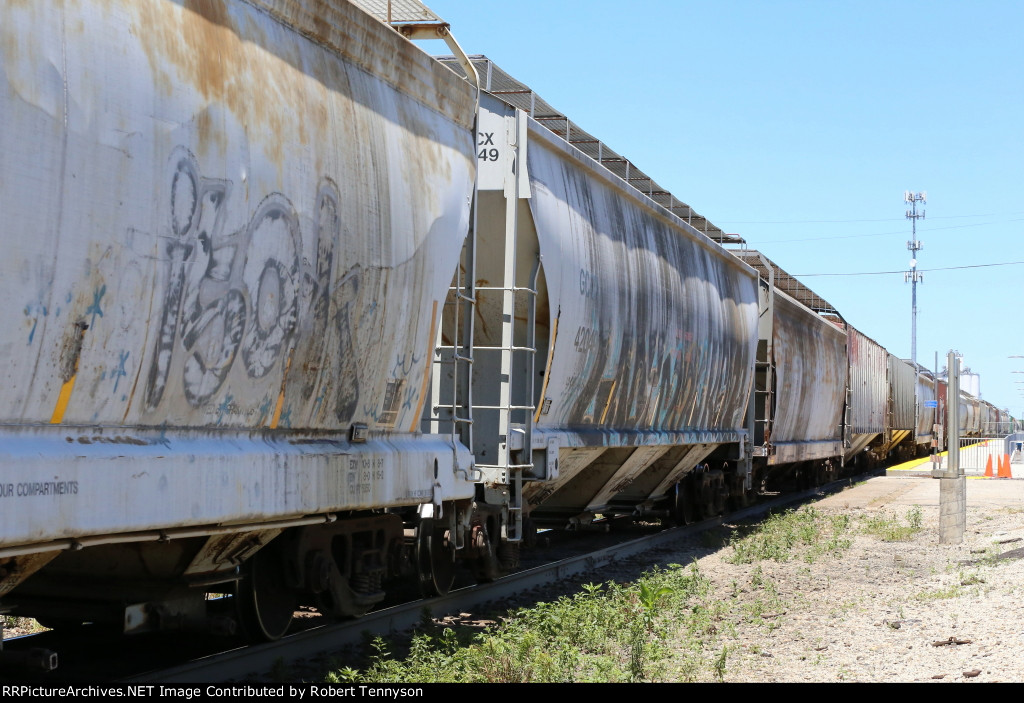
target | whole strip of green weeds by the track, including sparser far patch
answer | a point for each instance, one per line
(669, 625)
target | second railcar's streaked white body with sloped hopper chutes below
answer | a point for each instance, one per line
(652, 365)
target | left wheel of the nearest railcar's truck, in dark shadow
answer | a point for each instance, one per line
(265, 603)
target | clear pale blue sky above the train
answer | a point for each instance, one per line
(799, 125)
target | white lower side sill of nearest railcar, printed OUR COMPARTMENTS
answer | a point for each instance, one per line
(107, 485)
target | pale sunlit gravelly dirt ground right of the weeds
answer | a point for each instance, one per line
(886, 611)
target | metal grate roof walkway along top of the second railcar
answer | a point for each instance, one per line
(505, 87)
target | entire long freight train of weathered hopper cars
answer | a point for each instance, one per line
(300, 312)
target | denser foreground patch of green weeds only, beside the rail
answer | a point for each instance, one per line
(610, 633)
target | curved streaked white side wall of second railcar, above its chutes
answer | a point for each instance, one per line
(657, 326)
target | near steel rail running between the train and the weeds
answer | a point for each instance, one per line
(253, 662)
